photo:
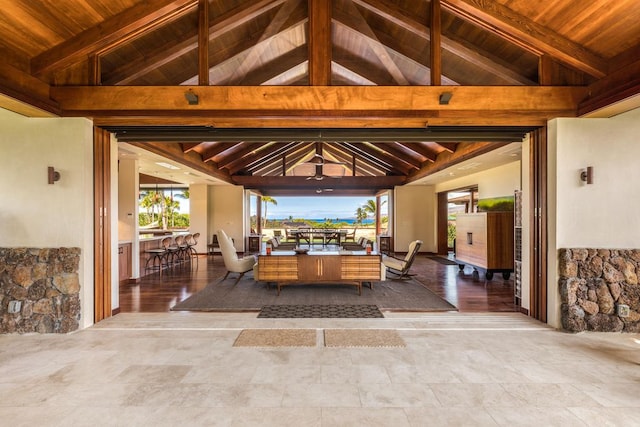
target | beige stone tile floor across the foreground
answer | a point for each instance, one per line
(166, 369)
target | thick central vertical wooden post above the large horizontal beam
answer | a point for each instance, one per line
(319, 42)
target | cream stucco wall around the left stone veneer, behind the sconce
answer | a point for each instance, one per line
(38, 215)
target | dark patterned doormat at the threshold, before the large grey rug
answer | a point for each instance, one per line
(317, 310)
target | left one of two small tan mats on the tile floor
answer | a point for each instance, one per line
(276, 338)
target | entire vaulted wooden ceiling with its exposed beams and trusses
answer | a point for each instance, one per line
(362, 82)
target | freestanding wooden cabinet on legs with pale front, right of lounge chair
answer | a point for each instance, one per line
(485, 240)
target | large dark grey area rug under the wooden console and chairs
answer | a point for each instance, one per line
(249, 295)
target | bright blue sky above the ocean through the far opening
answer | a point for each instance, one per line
(315, 207)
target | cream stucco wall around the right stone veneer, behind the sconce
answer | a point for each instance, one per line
(601, 215)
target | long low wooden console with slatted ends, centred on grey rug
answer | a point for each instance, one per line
(287, 268)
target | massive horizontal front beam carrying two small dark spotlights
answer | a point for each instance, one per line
(371, 104)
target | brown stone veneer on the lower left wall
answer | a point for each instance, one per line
(47, 284)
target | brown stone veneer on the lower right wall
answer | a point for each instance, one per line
(593, 282)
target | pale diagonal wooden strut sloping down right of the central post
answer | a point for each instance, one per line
(353, 19)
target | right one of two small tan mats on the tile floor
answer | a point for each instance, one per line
(362, 338)
